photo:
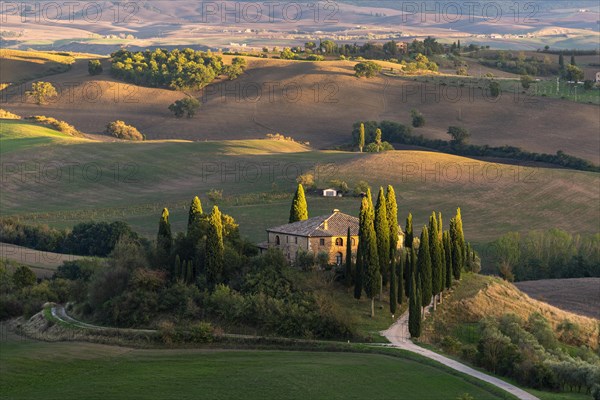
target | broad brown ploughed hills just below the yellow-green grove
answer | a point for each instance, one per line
(325, 99)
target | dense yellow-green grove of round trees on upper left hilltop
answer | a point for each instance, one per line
(175, 69)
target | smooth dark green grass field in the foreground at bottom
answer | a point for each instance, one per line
(76, 370)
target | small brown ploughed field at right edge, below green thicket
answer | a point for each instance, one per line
(577, 295)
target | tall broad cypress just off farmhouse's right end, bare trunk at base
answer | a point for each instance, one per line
(370, 259)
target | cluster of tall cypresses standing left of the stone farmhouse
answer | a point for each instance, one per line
(200, 227)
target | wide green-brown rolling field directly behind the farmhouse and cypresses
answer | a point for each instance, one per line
(74, 181)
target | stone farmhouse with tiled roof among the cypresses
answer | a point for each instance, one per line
(325, 233)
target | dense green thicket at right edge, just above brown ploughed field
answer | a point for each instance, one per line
(544, 255)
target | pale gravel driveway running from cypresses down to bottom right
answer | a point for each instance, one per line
(399, 337)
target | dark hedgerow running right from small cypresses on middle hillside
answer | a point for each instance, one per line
(402, 134)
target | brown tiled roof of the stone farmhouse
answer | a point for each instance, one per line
(334, 224)
